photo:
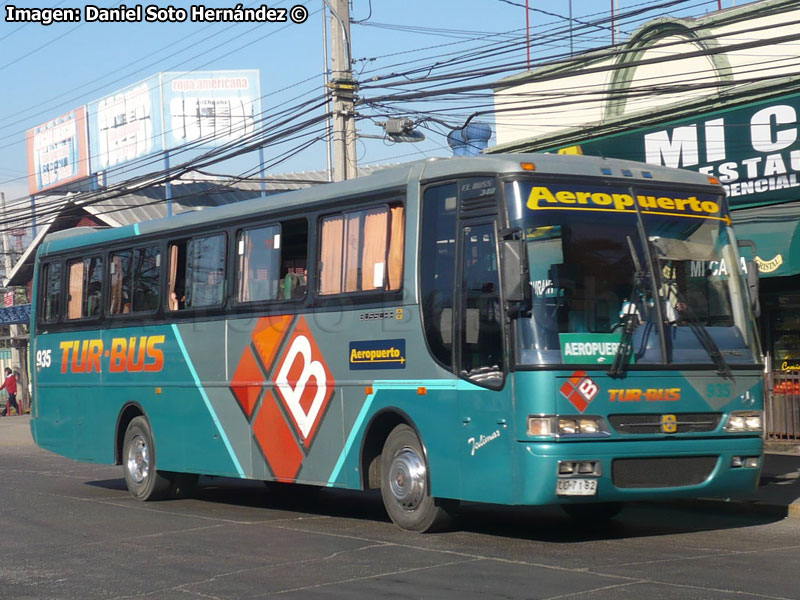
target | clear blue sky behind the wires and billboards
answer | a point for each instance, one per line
(47, 71)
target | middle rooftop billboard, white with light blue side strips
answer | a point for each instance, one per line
(126, 125)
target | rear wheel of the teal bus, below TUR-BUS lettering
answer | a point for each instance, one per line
(139, 463)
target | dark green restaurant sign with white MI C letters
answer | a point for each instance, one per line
(753, 149)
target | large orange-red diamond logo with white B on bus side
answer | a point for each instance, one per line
(285, 421)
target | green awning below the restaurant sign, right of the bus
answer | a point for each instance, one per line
(775, 230)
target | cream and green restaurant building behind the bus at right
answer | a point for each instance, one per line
(719, 94)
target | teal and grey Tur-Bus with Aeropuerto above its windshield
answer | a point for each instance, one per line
(520, 329)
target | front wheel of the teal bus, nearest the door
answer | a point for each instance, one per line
(404, 484)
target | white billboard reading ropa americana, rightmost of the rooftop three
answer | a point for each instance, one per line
(210, 107)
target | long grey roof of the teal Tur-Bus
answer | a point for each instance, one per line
(384, 179)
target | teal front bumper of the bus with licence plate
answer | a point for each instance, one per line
(625, 471)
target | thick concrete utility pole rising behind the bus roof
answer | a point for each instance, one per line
(343, 90)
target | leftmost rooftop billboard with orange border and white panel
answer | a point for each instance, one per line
(58, 151)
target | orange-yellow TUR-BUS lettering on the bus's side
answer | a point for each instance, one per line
(125, 355)
